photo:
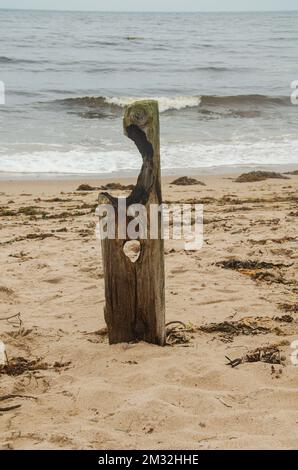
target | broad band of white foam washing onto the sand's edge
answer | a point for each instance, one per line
(173, 156)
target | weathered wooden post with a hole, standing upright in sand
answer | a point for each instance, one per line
(134, 291)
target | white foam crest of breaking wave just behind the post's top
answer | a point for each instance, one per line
(165, 103)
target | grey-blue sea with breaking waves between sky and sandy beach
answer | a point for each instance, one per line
(223, 82)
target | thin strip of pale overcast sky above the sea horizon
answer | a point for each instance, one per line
(152, 5)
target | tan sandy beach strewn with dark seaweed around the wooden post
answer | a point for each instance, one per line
(140, 396)
